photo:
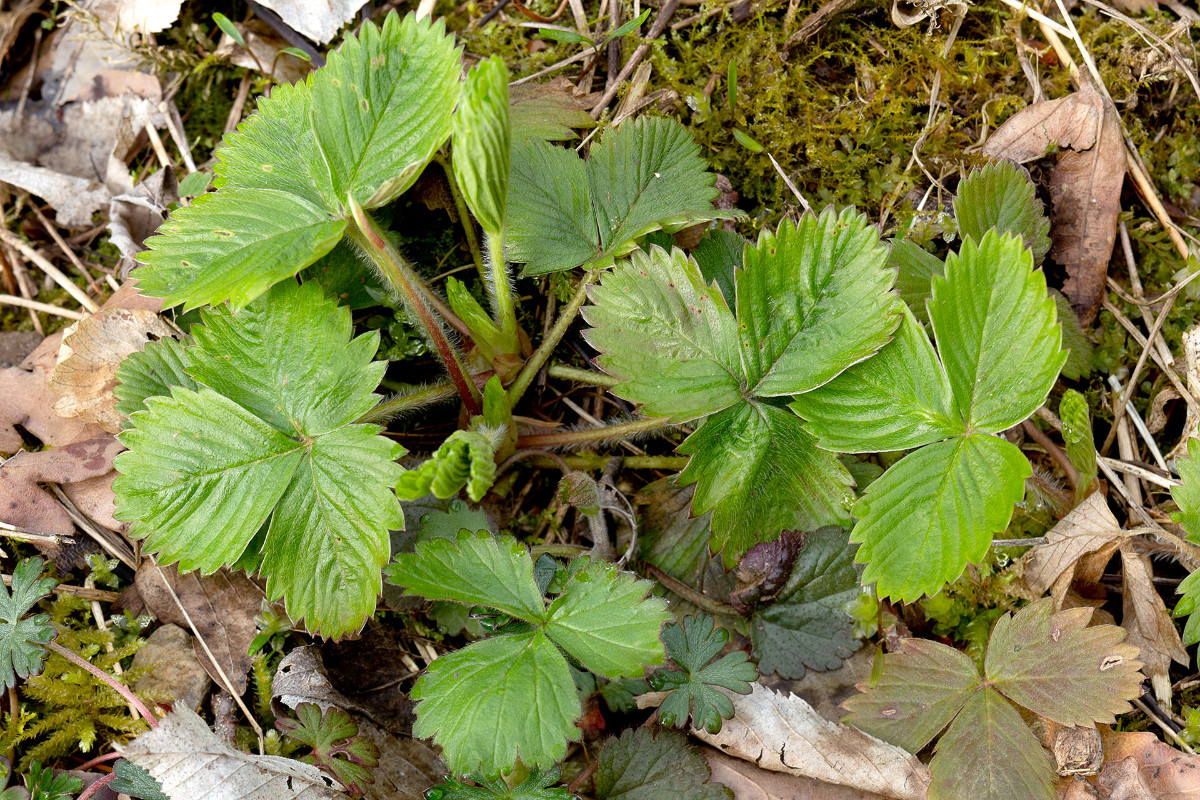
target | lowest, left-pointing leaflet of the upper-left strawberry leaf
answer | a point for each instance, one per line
(233, 245)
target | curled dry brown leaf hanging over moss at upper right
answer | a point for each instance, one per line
(1085, 187)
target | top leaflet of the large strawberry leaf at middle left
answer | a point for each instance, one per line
(277, 360)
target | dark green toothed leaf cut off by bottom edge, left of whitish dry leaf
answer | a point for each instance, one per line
(646, 766)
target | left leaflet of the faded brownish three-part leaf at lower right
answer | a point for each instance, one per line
(922, 689)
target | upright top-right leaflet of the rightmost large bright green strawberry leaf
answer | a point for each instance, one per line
(998, 333)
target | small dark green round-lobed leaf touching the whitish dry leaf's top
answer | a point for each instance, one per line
(692, 645)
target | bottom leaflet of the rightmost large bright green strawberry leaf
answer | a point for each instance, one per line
(935, 512)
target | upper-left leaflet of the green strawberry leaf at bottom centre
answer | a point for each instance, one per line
(478, 570)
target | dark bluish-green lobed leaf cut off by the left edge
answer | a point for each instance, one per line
(22, 639)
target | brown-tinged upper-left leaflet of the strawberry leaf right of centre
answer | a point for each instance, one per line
(668, 335)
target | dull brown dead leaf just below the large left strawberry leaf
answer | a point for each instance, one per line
(223, 606)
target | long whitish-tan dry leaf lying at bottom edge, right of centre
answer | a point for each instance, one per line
(784, 735)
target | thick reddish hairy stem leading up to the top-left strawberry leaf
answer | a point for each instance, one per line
(405, 284)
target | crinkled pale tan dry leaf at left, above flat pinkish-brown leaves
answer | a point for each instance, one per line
(92, 351)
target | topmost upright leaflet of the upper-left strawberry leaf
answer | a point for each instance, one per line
(382, 107)
